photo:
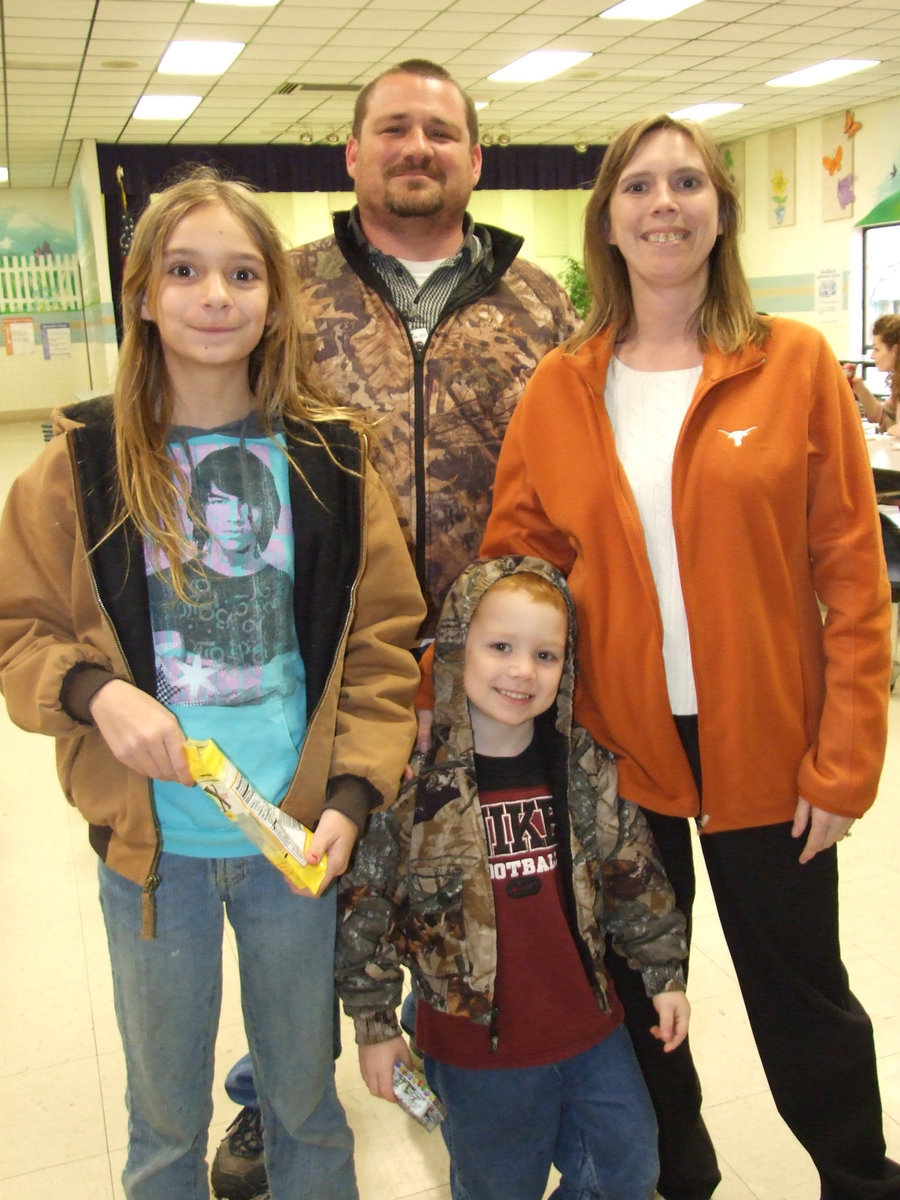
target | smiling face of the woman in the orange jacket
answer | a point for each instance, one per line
(664, 214)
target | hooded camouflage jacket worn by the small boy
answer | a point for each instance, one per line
(419, 892)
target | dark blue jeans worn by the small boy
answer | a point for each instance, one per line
(590, 1117)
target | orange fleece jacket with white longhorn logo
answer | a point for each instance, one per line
(789, 705)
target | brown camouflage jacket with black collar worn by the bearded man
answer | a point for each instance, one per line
(441, 412)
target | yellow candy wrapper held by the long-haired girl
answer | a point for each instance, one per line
(284, 841)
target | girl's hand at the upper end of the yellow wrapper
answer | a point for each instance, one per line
(141, 733)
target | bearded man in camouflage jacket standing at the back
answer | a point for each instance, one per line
(431, 325)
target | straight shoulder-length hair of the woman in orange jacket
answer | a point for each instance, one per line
(727, 317)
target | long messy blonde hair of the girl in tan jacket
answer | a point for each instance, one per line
(151, 484)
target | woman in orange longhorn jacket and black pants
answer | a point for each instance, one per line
(700, 476)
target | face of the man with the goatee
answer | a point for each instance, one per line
(413, 157)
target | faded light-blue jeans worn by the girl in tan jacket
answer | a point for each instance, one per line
(169, 995)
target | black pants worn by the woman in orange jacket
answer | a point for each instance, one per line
(815, 1041)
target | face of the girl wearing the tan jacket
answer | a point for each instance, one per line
(212, 303)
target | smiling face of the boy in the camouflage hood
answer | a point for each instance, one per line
(515, 652)
